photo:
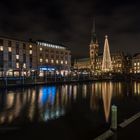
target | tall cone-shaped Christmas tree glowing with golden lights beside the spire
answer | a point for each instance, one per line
(106, 65)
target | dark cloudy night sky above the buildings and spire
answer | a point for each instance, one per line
(69, 22)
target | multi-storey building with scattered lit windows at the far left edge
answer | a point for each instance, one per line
(17, 56)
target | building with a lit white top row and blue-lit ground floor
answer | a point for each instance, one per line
(53, 57)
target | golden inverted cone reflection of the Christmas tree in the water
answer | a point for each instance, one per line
(107, 95)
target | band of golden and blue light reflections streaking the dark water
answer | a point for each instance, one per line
(50, 102)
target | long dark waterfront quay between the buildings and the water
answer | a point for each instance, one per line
(9, 81)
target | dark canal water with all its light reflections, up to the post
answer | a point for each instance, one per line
(66, 112)
